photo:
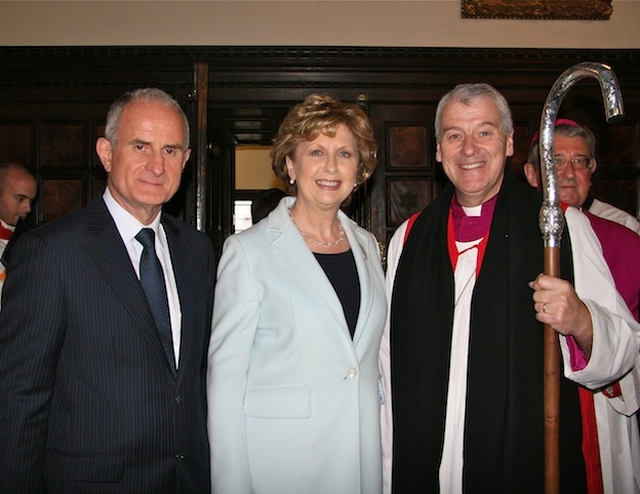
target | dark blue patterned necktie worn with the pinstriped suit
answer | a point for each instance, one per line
(152, 281)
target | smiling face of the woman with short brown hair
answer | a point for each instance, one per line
(325, 169)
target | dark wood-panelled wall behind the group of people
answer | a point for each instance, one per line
(53, 101)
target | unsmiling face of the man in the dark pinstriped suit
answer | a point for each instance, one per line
(145, 163)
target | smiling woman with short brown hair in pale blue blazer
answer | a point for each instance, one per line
(293, 380)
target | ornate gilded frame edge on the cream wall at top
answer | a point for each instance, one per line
(537, 9)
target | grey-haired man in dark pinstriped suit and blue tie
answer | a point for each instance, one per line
(99, 392)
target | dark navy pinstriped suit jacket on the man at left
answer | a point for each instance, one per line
(89, 403)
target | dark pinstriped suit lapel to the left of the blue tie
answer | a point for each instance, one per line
(112, 260)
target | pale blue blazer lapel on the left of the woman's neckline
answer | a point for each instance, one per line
(289, 244)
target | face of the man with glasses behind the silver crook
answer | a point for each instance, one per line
(573, 185)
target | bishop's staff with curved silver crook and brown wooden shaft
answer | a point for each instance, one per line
(551, 221)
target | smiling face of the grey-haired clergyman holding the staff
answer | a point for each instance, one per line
(473, 149)
